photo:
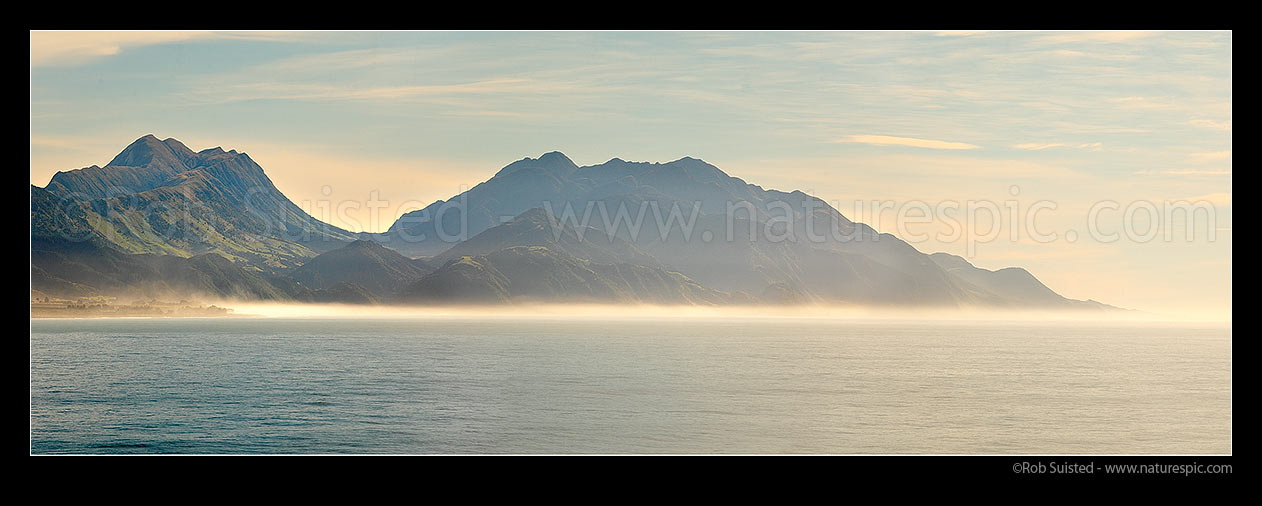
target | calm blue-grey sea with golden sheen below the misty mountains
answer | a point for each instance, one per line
(452, 385)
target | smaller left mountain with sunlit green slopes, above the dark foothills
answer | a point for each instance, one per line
(161, 197)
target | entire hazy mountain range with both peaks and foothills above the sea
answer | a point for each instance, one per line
(163, 220)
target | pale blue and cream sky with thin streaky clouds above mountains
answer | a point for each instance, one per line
(1083, 144)
